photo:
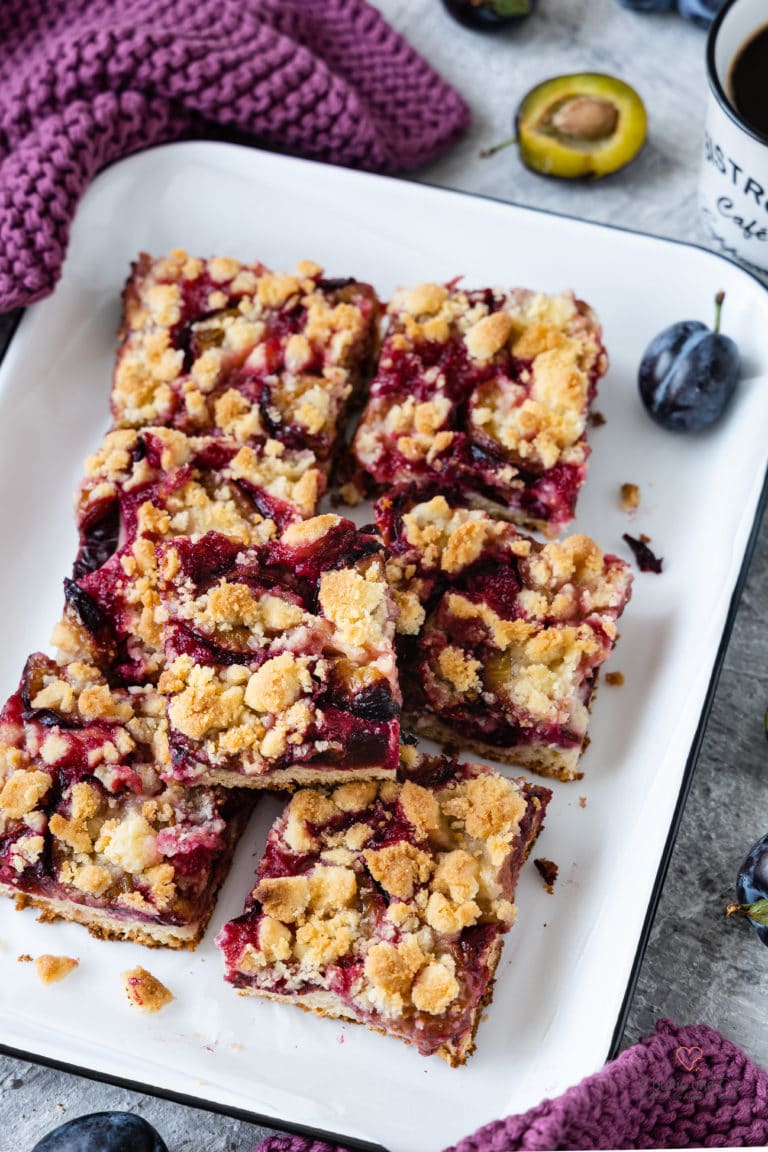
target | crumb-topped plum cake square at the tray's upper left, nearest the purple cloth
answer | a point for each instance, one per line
(218, 347)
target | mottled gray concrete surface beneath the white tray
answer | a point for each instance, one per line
(698, 967)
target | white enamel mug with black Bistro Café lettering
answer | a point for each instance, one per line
(734, 190)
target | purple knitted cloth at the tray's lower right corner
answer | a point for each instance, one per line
(680, 1088)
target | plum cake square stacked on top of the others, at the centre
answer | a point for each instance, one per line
(280, 663)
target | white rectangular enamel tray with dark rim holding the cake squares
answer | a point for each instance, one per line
(566, 966)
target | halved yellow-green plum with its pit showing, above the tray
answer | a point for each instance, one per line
(585, 125)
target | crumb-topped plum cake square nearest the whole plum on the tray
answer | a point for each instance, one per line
(484, 395)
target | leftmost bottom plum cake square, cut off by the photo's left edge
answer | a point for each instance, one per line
(89, 831)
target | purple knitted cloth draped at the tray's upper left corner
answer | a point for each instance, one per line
(87, 82)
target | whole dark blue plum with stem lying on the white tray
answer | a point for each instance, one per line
(689, 374)
